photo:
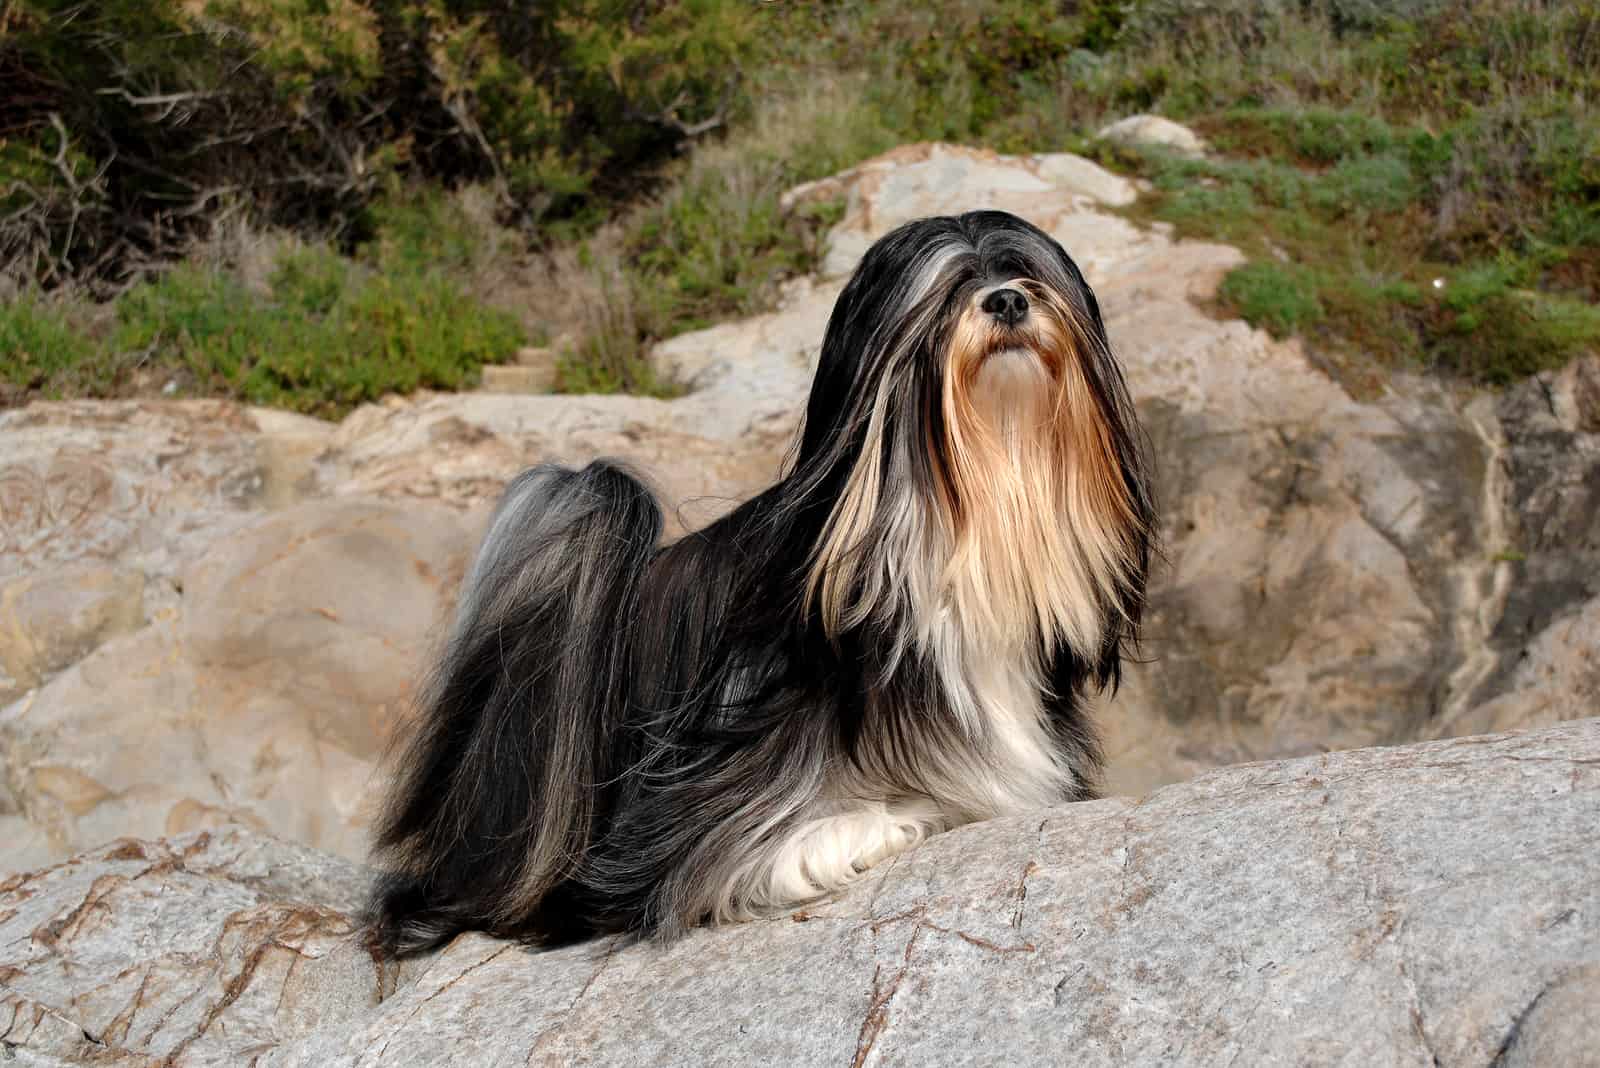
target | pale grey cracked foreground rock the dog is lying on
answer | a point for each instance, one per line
(1430, 904)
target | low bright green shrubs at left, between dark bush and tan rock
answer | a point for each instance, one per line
(324, 335)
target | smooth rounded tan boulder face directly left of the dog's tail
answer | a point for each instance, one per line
(265, 701)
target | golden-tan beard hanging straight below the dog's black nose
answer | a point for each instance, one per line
(1042, 517)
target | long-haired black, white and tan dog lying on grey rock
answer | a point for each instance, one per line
(625, 736)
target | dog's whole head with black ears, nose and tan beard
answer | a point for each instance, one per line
(977, 445)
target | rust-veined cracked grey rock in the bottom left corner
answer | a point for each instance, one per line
(246, 946)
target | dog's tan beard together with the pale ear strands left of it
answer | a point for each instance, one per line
(1026, 530)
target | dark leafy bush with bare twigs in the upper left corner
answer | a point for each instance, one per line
(132, 126)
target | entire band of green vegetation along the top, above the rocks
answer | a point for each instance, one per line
(1417, 183)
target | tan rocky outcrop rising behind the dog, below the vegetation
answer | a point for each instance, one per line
(1345, 564)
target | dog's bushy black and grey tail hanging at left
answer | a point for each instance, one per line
(494, 803)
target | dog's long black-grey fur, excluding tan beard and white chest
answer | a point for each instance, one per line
(614, 719)
